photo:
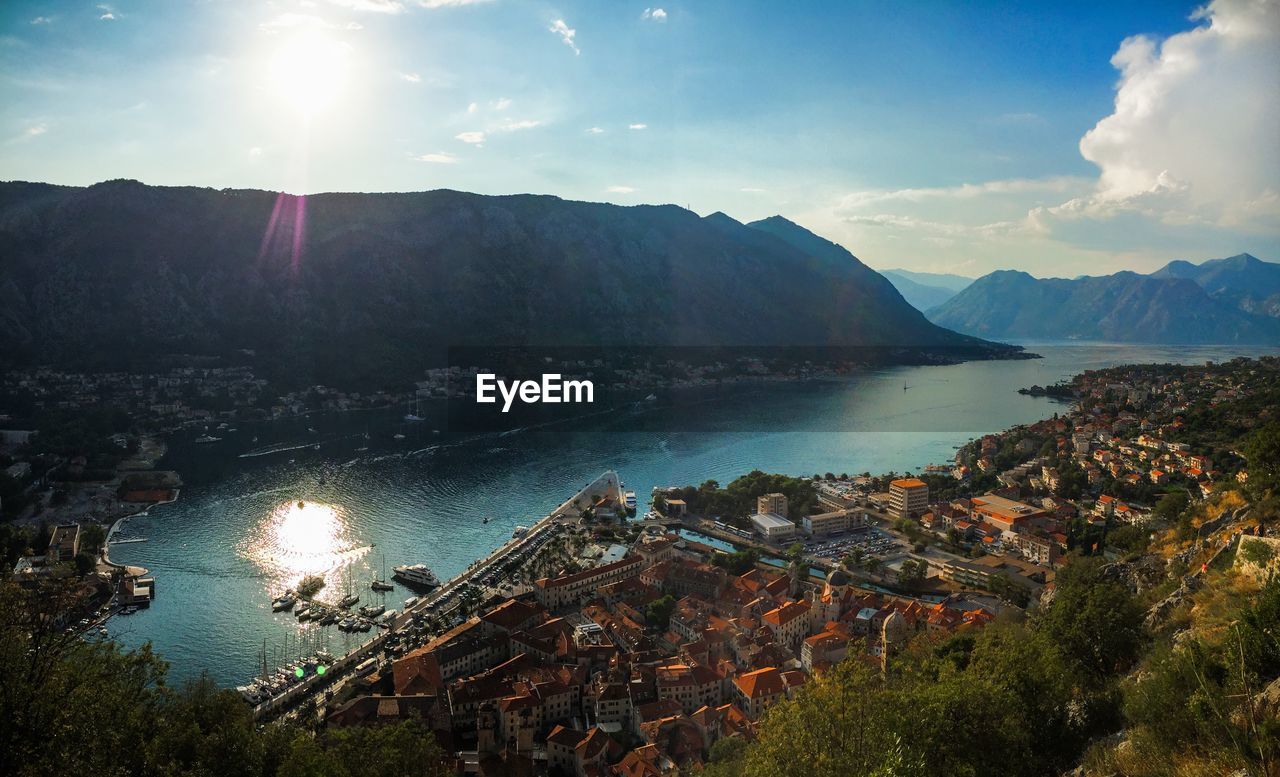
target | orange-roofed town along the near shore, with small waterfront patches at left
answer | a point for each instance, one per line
(597, 645)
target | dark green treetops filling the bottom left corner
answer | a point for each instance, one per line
(70, 707)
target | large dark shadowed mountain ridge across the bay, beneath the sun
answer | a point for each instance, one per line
(362, 287)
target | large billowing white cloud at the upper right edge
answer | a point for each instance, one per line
(1194, 134)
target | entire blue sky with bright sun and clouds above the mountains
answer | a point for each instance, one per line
(1057, 139)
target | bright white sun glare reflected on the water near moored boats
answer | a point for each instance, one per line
(298, 540)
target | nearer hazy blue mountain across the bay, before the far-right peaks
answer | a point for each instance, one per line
(1122, 308)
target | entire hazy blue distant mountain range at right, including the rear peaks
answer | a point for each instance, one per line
(1223, 301)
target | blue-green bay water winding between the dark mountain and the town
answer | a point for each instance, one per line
(237, 536)
